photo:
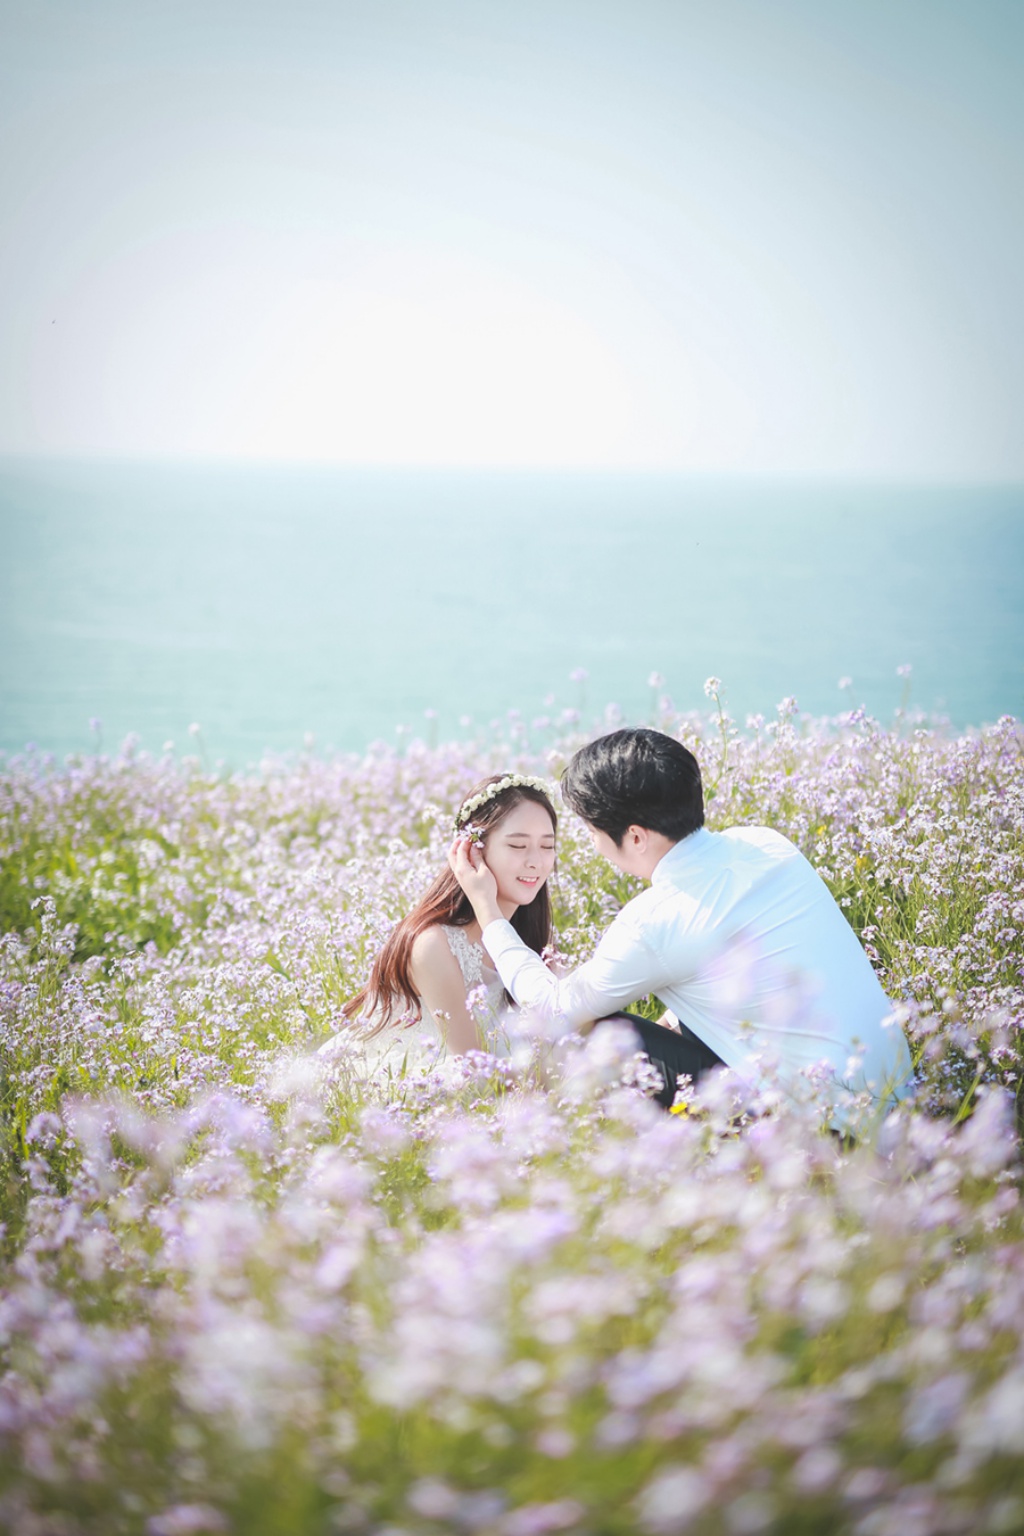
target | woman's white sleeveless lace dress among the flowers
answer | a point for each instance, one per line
(386, 1051)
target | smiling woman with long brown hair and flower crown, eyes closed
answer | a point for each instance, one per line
(435, 959)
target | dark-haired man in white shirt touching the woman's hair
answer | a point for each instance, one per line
(738, 935)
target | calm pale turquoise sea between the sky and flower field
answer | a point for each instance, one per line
(265, 604)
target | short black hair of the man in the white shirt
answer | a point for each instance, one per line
(636, 780)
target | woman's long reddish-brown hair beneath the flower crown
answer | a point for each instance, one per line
(391, 985)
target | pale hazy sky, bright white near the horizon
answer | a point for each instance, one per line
(778, 237)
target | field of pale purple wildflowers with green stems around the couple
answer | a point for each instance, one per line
(254, 1291)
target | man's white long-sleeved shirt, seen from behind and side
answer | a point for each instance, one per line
(744, 942)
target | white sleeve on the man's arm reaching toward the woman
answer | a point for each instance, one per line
(623, 970)
